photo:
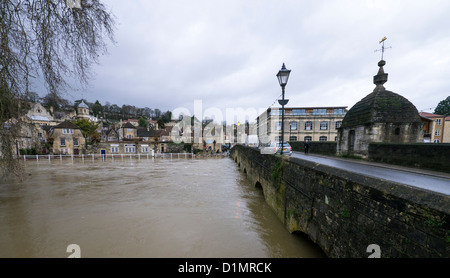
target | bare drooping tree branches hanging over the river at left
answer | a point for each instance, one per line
(53, 40)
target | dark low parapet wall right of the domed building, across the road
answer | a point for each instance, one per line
(421, 155)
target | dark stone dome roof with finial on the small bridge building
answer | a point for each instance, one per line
(381, 106)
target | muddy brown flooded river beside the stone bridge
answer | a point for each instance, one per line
(141, 208)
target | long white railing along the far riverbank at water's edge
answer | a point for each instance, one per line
(119, 156)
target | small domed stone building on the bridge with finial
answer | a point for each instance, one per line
(382, 116)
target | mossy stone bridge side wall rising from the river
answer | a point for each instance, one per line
(344, 213)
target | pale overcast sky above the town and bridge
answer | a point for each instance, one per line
(226, 54)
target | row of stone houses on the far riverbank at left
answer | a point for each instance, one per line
(44, 133)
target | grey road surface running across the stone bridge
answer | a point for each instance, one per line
(434, 181)
